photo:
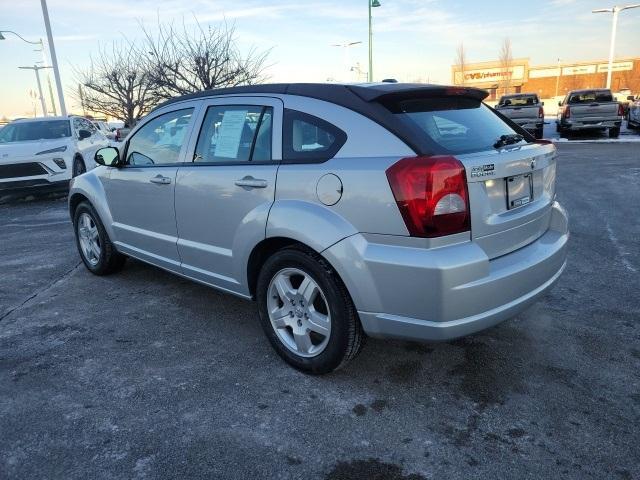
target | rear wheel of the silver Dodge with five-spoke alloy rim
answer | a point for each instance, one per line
(306, 312)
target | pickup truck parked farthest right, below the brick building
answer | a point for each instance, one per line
(593, 109)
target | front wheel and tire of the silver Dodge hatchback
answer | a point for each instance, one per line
(96, 250)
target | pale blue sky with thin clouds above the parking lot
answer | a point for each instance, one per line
(414, 40)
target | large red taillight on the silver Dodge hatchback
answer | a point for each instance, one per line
(431, 193)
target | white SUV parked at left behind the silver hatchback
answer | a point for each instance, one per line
(44, 153)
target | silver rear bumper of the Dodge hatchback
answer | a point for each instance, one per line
(448, 292)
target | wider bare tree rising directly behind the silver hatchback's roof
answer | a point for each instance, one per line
(182, 60)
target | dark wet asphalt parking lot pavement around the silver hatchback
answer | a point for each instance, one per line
(146, 375)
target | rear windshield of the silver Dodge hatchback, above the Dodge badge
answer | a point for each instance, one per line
(453, 125)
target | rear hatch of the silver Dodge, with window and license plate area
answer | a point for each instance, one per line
(510, 178)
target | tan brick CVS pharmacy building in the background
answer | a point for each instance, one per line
(548, 80)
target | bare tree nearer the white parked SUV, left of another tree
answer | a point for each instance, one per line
(116, 85)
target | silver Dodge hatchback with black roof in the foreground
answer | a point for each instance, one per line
(391, 210)
